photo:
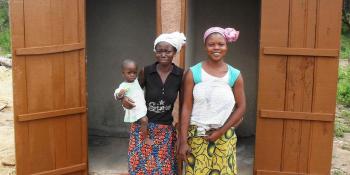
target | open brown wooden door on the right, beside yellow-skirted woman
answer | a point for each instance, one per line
(298, 66)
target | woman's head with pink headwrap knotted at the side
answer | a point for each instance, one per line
(215, 40)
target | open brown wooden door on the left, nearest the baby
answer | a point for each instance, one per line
(48, 44)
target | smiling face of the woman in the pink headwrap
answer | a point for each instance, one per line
(216, 46)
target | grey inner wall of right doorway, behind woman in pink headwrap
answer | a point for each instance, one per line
(243, 54)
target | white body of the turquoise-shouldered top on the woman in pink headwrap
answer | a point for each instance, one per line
(213, 101)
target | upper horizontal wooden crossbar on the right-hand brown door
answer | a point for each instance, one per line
(332, 53)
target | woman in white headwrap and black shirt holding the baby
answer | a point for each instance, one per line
(162, 82)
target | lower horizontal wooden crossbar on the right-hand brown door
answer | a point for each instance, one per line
(297, 115)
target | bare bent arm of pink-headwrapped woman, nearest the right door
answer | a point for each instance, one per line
(237, 114)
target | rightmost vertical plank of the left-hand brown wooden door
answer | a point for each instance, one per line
(75, 90)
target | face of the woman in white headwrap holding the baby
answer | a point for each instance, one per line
(165, 53)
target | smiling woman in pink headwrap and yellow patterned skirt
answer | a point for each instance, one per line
(214, 102)
